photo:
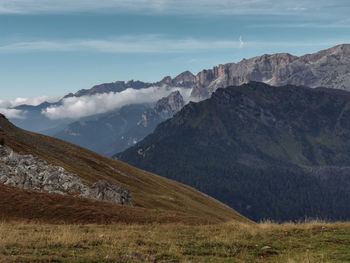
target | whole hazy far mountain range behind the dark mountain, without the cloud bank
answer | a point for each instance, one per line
(328, 68)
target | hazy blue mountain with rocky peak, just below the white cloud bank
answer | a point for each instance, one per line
(115, 131)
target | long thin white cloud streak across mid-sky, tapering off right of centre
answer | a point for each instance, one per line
(136, 44)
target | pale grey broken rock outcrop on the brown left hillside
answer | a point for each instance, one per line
(29, 172)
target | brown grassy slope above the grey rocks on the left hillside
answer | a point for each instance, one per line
(149, 191)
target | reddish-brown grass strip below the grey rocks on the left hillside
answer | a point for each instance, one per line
(18, 205)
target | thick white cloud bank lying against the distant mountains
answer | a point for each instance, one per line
(78, 107)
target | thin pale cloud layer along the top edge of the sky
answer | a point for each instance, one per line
(169, 6)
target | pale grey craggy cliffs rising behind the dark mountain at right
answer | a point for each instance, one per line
(328, 68)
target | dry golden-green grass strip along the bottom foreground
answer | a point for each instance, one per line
(314, 242)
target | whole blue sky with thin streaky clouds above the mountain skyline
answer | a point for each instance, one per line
(53, 47)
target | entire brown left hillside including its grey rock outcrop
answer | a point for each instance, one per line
(49, 166)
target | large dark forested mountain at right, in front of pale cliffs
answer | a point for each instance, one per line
(281, 153)
